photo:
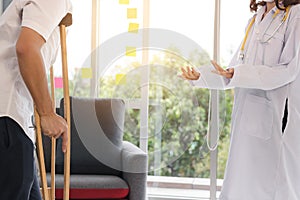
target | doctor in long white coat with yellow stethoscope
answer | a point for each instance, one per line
(264, 157)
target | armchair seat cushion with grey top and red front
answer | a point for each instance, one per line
(92, 187)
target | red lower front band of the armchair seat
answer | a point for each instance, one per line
(88, 193)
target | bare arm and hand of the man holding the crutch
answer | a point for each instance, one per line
(31, 64)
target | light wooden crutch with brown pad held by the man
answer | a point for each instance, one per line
(49, 193)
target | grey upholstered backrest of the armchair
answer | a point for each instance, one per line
(96, 136)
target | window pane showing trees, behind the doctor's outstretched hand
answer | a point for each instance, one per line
(178, 125)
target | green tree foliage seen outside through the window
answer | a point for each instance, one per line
(178, 114)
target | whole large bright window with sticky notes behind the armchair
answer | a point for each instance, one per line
(111, 55)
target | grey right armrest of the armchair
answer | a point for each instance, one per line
(135, 162)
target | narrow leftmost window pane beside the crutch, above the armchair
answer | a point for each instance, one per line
(79, 50)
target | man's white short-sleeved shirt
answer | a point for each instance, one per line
(43, 16)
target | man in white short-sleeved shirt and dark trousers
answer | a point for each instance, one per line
(29, 39)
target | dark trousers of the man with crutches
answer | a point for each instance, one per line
(18, 180)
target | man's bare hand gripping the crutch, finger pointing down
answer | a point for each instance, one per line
(55, 126)
